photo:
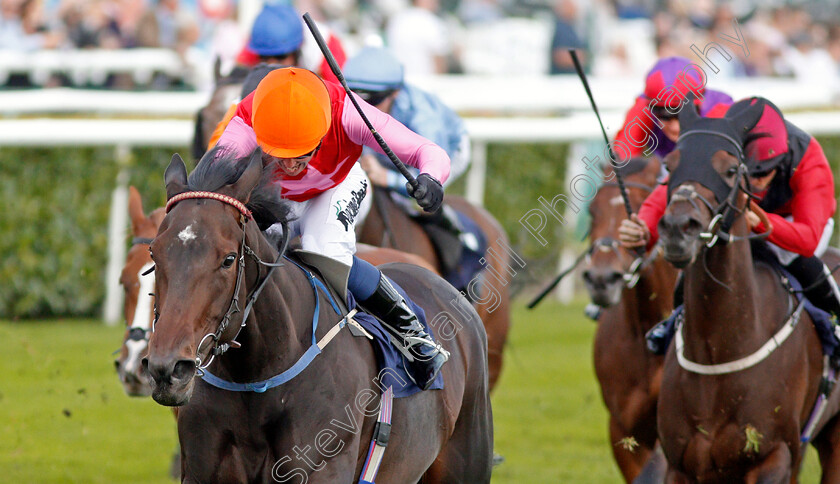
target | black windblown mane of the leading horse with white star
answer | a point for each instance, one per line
(220, 167)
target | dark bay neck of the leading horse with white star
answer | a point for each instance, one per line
(273, 338)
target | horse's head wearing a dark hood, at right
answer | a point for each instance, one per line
(707, 174)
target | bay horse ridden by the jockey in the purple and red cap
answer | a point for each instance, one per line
(628, 373)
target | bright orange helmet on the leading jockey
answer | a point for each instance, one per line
(291, 112)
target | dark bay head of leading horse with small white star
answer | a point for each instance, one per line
(200, 256)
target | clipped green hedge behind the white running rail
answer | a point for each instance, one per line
(53, 233)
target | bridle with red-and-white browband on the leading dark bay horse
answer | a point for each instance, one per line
(218, 345)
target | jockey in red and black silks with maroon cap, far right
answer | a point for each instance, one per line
(790, 175)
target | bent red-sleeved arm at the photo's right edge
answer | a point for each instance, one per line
(812, 205)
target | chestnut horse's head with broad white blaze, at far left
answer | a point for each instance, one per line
(138, 286)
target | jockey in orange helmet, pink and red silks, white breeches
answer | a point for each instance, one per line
(311, 135)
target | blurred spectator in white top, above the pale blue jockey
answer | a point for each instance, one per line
(420, 39)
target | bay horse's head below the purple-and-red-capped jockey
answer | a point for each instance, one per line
(607, 263)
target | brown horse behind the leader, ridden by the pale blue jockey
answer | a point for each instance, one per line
(388, 225)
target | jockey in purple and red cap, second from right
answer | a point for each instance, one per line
(669, 76)
